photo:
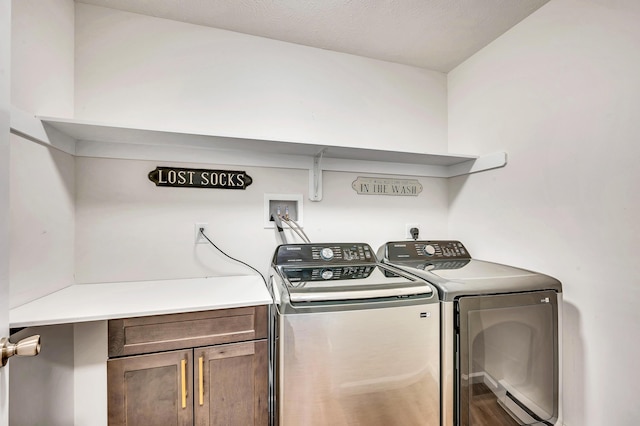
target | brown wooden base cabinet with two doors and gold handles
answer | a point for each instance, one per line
(203, 368)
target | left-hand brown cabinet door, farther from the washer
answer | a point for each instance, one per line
(153, 389)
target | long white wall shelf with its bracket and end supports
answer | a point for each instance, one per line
(87, 139)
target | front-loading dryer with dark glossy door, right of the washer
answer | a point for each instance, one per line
(499, 331)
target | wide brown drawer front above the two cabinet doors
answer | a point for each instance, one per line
(131, 336)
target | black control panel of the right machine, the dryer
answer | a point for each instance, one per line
(421, 250)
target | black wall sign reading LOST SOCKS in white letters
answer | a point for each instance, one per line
(199, 178)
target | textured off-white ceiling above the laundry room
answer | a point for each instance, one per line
(433, 34)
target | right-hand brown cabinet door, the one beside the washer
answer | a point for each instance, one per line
(231, 384)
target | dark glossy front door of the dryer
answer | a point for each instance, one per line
(508, 359)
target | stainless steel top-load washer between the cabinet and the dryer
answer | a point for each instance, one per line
(354, 342)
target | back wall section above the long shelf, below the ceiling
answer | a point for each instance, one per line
(149, 72)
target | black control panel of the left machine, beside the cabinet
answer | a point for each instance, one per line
(332, 253)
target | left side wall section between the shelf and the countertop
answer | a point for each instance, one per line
(42, 199)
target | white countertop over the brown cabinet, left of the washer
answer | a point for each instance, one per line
(103, 301)
